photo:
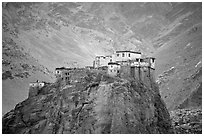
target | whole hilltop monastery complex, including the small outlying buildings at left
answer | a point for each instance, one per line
(121, 64)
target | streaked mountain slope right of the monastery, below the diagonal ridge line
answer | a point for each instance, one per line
(179, 66)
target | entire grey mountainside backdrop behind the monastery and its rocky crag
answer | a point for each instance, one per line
(49, 35)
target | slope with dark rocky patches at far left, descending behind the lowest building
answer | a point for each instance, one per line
(18, 69)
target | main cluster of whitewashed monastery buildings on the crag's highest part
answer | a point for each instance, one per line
(126, 64)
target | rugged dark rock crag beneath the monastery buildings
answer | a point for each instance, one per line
(96, 104)
